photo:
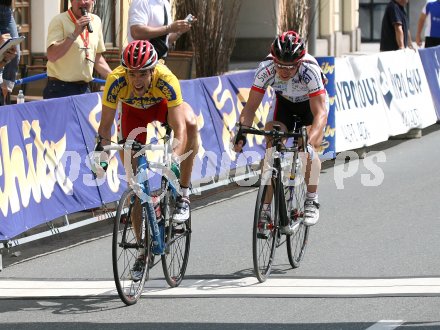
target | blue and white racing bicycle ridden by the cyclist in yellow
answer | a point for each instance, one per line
(159, 235)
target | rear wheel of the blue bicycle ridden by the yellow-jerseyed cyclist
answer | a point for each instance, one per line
(177, 240)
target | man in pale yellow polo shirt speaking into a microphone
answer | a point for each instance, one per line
(73, 52)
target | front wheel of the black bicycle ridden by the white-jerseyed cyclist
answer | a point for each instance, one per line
(265, 232)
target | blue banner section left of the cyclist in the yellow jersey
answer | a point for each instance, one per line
(44, 167)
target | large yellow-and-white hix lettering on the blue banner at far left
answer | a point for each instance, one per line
(36, 168)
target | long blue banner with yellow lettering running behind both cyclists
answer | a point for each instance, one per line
(45, 146)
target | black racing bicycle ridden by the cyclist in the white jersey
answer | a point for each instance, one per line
(283, 188)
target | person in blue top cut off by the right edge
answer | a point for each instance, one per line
(430, 11)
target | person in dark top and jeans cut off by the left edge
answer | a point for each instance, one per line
(8, 73)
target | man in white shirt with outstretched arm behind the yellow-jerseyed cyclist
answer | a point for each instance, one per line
(152, 20)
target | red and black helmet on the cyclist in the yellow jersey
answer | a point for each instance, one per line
(139, 55)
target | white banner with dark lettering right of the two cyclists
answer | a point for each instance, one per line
(378, 96)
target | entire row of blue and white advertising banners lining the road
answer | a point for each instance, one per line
(45, 145)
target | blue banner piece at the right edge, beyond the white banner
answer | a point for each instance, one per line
(431, 63)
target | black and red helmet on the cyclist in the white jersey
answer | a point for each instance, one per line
(288, 47)
